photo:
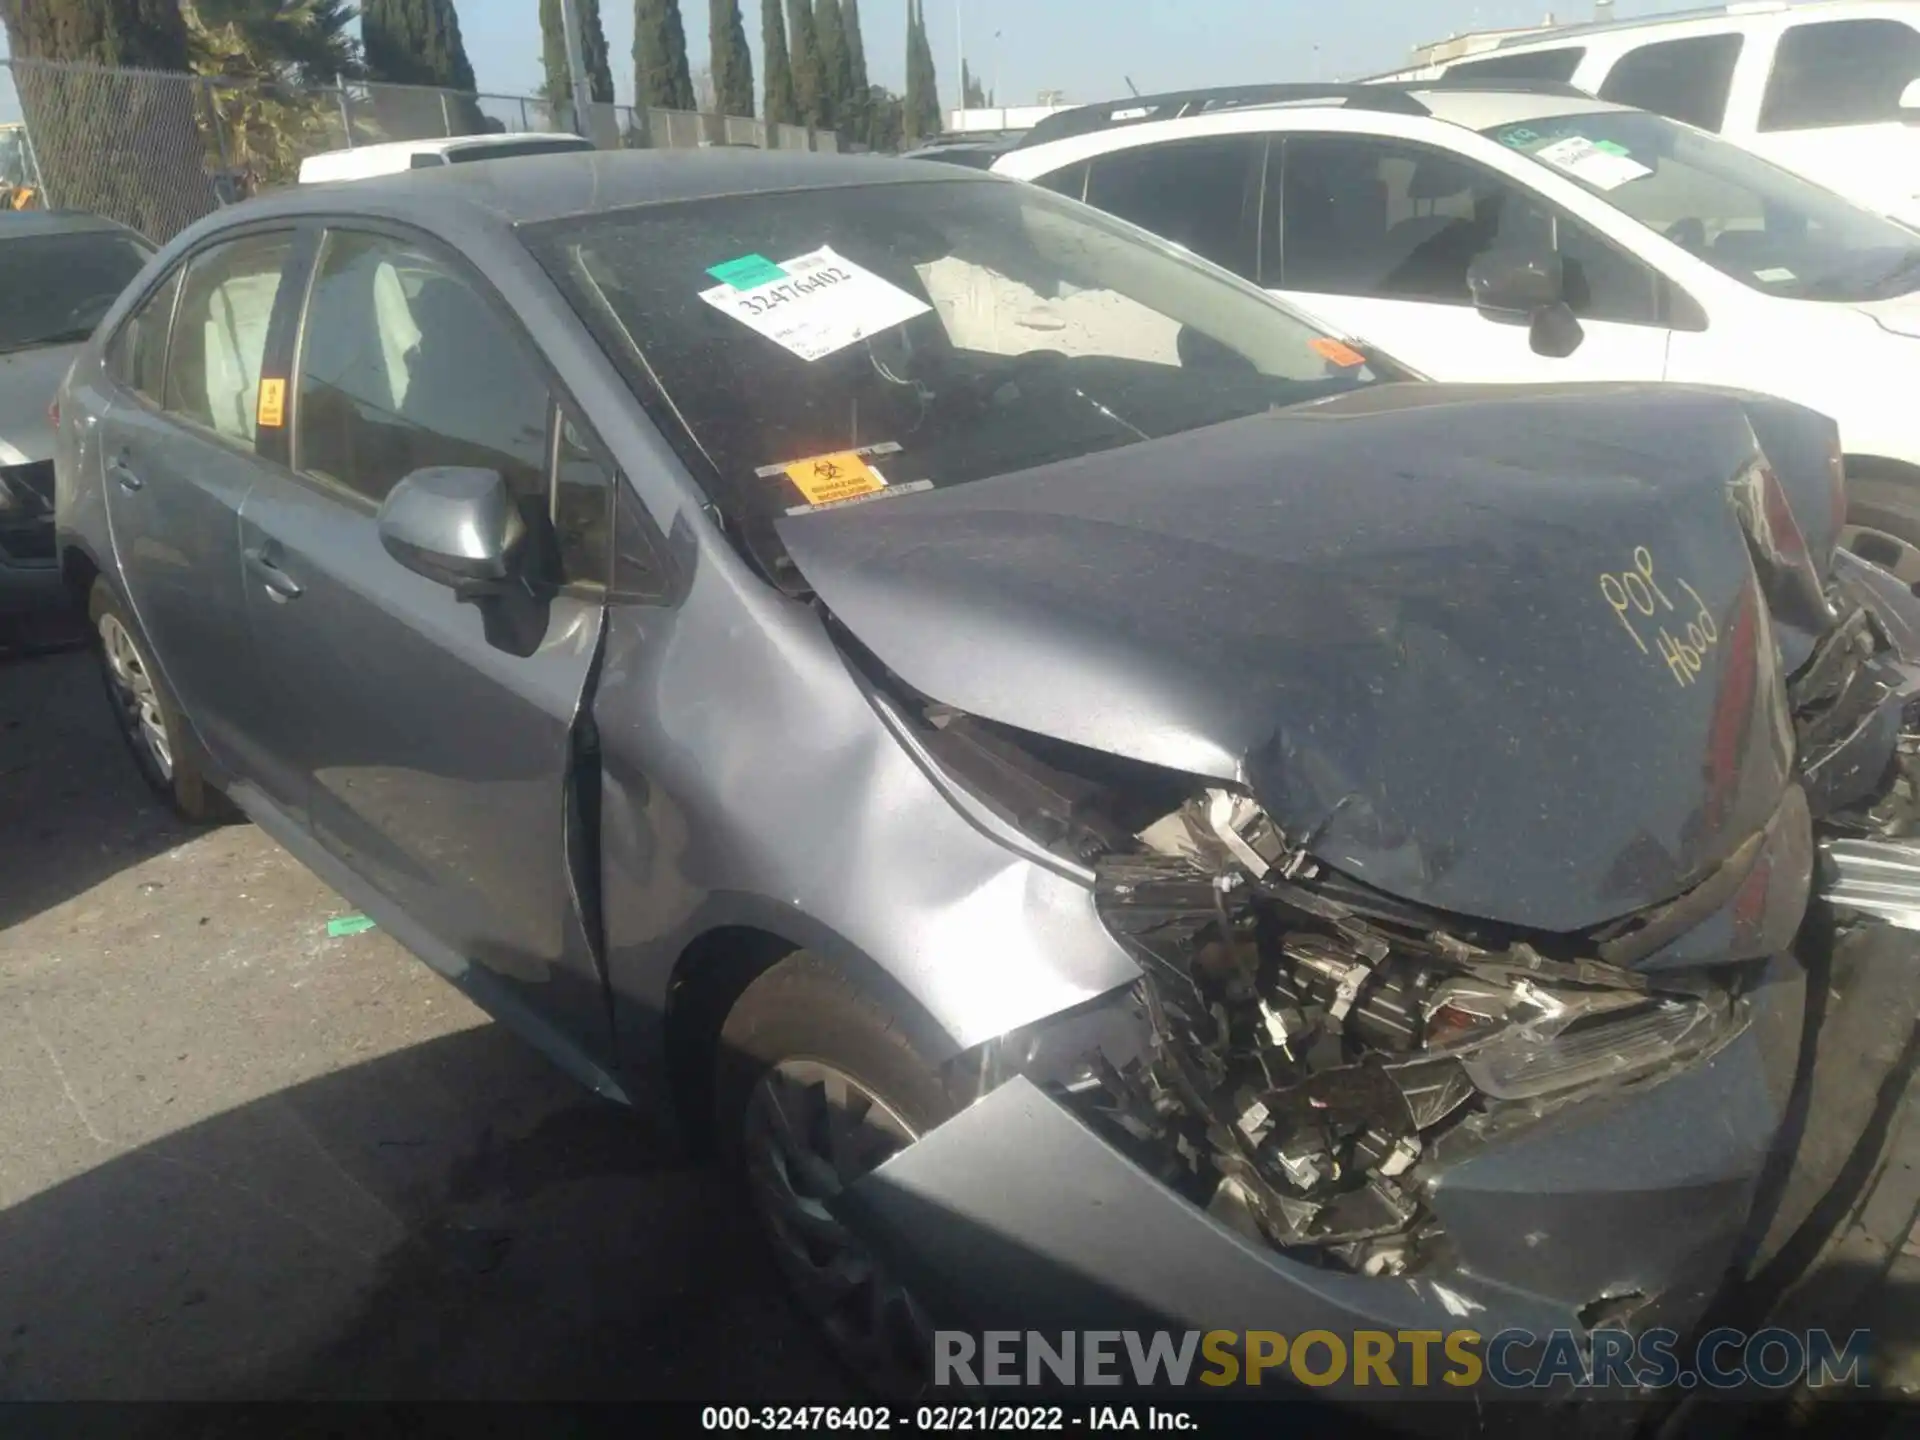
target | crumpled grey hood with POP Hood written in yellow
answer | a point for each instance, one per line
(1508, 652)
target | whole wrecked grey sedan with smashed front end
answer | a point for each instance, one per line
(1059, 767)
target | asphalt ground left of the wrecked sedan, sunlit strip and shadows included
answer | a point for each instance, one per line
(241, 1159)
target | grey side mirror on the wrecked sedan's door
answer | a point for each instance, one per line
(456, 527)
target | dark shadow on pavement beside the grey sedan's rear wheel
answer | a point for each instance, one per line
(72, 804)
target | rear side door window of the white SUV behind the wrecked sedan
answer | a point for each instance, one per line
(1201, 195)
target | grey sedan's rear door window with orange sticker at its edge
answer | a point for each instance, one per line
(220, 333)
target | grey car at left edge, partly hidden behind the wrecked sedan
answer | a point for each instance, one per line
(59, 276)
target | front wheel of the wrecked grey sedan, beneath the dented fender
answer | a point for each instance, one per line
(817, 1086)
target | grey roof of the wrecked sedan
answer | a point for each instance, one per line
(531, 189)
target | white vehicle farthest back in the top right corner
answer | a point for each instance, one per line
(1827, 87)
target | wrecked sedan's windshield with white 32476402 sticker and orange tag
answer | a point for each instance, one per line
(848, 345)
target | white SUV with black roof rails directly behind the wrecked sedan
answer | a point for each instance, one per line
(1533, 233)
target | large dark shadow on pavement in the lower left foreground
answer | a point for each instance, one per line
(450, 1222)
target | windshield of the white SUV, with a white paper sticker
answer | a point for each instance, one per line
(1740, 214)
